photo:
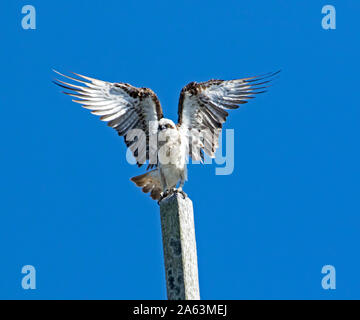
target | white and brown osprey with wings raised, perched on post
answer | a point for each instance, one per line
(136, 114)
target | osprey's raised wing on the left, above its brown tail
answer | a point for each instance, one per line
(123, 107)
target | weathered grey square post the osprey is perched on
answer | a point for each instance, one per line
(178, 234)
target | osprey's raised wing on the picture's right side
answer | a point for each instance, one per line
(202, 109)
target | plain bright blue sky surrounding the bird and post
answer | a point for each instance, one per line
(291, 205)
